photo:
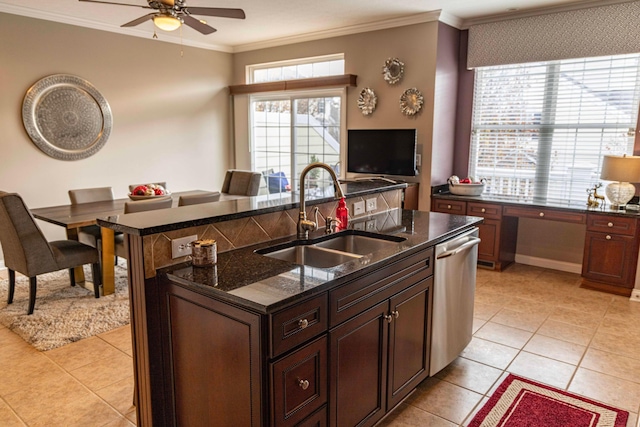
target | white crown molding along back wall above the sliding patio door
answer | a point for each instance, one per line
(418, 18)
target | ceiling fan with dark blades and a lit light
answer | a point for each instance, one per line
(171, 14)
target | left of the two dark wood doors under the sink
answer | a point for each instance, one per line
(358, 368)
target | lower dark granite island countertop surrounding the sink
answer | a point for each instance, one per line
(265, 284)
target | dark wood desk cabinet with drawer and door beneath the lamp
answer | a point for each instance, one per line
(610, 253)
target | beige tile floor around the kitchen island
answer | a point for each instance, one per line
(529, 321)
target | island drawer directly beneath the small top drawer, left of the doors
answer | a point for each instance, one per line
(299, 384)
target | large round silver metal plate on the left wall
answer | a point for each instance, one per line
(66, 117)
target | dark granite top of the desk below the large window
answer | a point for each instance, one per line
(570, 205)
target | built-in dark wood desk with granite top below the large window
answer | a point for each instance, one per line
(611, 241)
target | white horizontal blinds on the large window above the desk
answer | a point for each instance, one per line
(540, 130)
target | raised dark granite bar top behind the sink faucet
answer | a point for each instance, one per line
(163, 220)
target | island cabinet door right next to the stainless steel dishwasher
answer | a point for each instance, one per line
(409, 341)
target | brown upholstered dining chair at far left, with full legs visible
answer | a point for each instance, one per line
(28, 252)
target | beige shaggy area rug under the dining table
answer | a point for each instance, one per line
(63, 314)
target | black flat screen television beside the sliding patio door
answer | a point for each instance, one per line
(382, 151)
